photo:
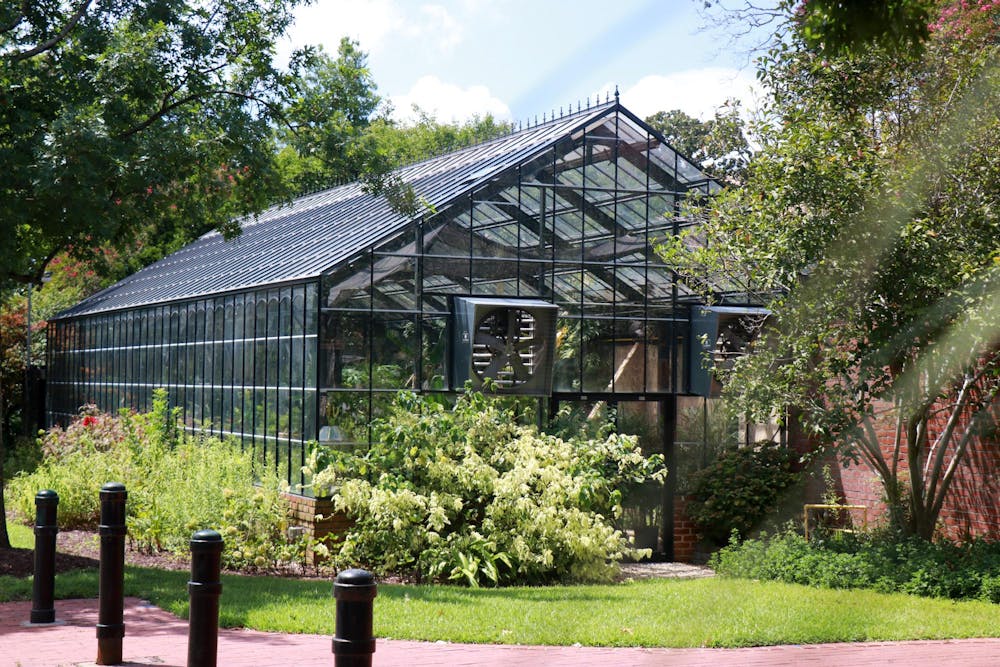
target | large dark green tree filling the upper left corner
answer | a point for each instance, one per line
(118, 116)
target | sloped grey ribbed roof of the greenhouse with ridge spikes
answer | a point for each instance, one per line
(302, 239)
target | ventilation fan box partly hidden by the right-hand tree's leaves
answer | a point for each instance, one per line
(719, 334)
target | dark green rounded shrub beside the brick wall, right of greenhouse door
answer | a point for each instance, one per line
(741, 487)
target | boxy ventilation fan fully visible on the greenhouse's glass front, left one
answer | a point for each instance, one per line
(509, 342)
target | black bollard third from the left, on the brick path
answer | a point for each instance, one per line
(204, 590)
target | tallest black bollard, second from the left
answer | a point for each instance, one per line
(111, 588)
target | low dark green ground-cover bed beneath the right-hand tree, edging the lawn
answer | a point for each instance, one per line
(882, 562)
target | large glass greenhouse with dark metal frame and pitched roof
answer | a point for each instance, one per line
(530, 267)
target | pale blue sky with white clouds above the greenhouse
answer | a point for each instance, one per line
(522, 59)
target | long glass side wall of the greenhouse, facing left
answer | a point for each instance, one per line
(240, 365)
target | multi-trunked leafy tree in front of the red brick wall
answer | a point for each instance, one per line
(869, 222)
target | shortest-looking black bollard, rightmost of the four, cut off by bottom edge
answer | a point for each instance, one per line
(354, 643)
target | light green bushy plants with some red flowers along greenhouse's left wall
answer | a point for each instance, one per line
(176, 485)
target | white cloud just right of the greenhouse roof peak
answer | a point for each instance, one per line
(697, 93)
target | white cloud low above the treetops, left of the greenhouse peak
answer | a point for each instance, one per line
(447, 102)
